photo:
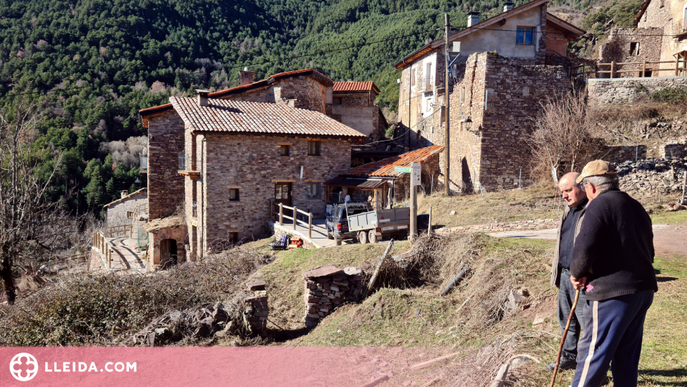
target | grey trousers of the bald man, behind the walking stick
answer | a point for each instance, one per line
(566, 297)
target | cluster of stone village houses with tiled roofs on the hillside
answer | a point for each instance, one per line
(219, 165)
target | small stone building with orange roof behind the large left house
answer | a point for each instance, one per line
(354, 105)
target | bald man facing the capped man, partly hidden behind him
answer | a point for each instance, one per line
(568, 229)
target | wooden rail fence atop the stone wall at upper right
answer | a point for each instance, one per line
(593, 71)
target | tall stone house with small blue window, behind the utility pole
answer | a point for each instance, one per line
(503, 70)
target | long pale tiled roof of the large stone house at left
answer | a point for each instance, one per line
(230, 116)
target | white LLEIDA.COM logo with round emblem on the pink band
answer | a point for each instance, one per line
(24, 367)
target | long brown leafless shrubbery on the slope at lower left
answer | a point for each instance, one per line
(106, 309)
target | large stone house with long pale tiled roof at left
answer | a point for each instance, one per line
(236, 158)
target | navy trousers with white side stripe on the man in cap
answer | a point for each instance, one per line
(614, 332)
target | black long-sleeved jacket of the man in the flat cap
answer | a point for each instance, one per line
(614, 248)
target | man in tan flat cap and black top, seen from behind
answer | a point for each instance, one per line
(612, 260)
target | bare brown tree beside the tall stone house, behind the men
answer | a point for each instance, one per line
(563, 138)
